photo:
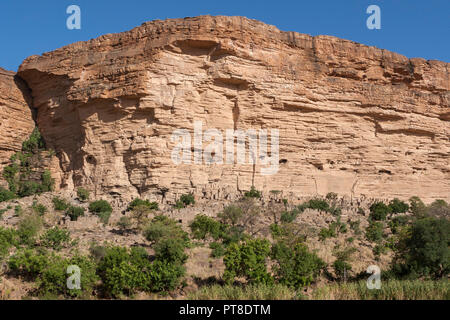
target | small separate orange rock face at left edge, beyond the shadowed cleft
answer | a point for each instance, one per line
(16, 121)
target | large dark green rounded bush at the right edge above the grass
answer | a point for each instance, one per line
(424, 251)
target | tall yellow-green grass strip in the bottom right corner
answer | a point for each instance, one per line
(390, 290)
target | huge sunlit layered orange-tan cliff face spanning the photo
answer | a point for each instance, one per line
(352, 119)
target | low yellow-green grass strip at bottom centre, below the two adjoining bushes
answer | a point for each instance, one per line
(249, 292)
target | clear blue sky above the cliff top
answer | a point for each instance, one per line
(415, 28)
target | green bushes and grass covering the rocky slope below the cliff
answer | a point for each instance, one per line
(256, 266)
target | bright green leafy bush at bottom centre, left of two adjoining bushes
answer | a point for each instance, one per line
(248, 260)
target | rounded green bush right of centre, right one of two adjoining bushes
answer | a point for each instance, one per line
(296, 267)
